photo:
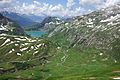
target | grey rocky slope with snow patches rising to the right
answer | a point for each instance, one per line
(99, 29)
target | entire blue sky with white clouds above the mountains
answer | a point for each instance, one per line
(54, 7)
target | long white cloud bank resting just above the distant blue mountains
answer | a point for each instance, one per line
(41, 9)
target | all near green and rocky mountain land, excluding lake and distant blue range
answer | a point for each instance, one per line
(78, 48)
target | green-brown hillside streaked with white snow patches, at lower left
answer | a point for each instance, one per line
(28, 60)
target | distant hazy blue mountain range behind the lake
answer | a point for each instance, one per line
(22, 19)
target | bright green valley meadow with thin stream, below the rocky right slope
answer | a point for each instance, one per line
(81, 63)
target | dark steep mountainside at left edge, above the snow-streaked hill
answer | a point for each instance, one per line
(10, 27)
